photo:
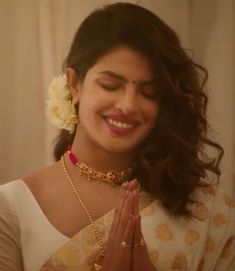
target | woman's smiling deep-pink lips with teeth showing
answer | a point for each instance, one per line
(127, 127)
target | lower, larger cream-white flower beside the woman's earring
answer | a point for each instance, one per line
(61, 113)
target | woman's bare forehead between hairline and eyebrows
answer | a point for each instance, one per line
(125, 61)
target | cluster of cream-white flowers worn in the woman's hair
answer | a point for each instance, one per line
(60, 108)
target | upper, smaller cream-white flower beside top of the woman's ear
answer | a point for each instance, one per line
(58, 88)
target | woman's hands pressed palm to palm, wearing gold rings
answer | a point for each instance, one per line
(125, 249)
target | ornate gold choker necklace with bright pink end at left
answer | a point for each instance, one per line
(112, 177)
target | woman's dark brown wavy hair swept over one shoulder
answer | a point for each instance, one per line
(172, 161)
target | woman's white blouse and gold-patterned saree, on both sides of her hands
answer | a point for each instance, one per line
(29, 242)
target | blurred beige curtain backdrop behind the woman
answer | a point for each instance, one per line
(34, 38)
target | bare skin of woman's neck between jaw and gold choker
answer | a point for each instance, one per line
(98, 158)
